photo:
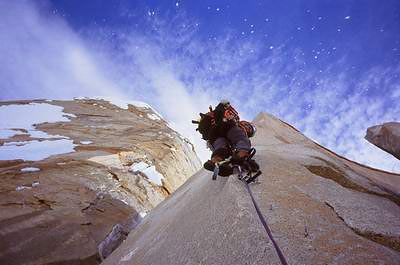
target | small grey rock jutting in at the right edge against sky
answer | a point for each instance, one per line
(386, 137)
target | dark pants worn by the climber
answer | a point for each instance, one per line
(236, 138)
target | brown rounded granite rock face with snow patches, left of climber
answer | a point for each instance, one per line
(77, 207)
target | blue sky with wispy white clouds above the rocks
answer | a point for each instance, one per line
(330, 68)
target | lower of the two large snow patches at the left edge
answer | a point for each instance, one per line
(35, 150)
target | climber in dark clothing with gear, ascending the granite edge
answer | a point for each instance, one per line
(227, 136)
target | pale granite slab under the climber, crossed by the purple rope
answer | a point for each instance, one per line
(321, 208)
